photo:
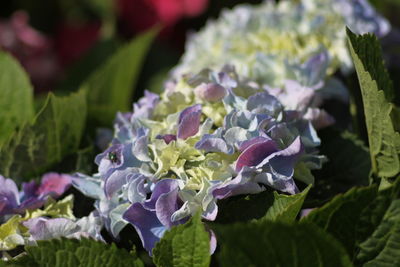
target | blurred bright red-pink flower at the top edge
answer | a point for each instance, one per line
(140, 15)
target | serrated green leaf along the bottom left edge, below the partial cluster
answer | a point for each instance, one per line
(75, 253)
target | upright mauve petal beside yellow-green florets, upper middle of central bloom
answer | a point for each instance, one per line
(189, 122)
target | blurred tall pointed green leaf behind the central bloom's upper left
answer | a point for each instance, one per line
(111, 86)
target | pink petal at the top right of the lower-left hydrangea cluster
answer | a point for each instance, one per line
(54, 184)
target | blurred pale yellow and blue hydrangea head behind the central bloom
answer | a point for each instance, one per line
(268, 42)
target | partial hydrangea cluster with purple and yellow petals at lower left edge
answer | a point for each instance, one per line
(23, 220)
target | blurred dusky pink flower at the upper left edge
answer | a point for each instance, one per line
(33, 50)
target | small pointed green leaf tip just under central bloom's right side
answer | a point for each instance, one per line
(286, 207)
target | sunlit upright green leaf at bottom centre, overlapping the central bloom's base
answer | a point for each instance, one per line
(184, 245)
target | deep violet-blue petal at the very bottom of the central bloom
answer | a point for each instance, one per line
(146, 223)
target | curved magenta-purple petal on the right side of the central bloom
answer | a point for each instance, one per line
(255, 154)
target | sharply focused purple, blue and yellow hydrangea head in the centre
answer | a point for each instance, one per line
(209, 136)
